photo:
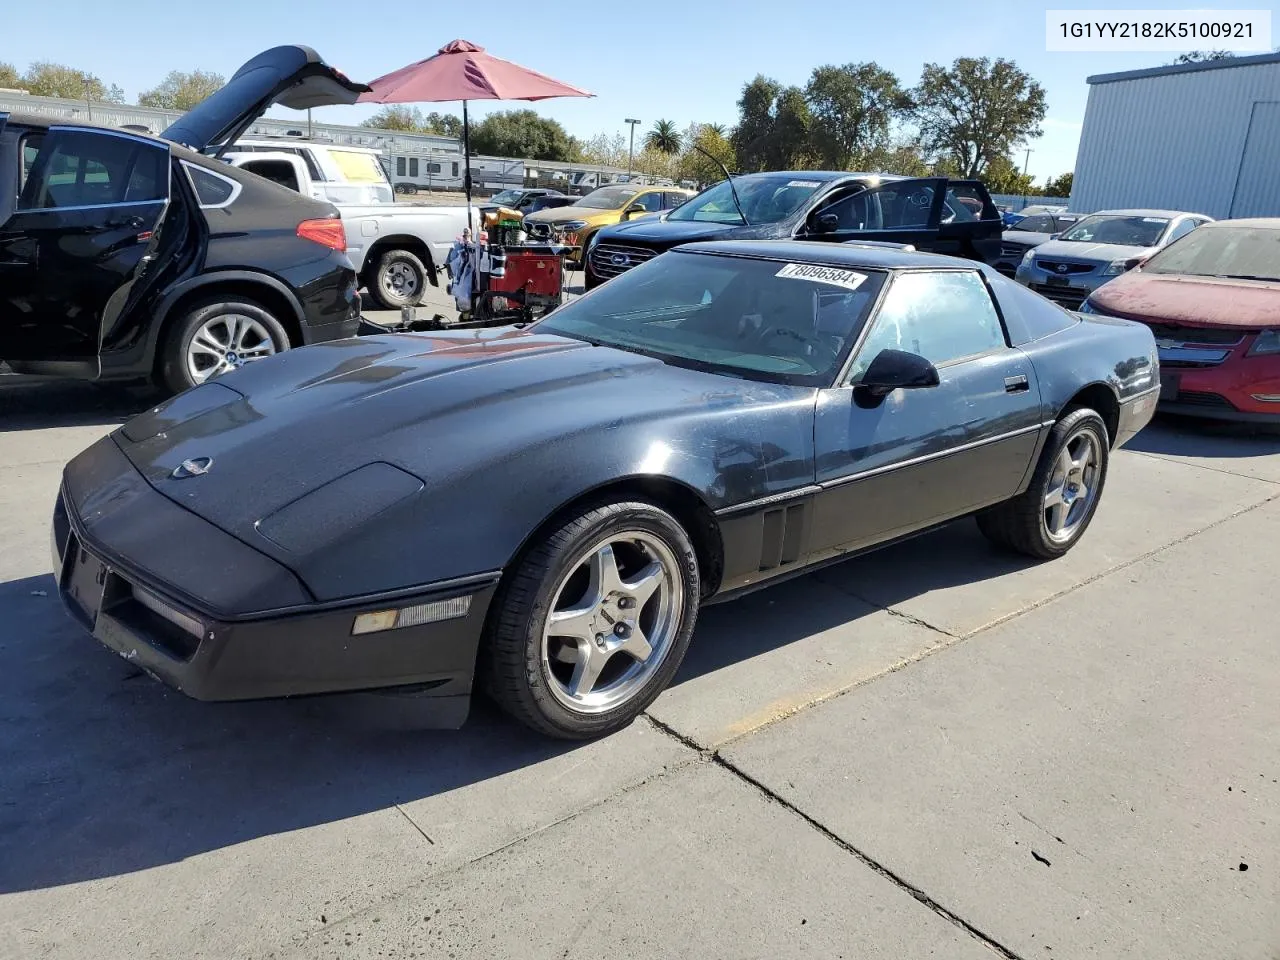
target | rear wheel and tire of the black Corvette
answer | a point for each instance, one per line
(1052, 516)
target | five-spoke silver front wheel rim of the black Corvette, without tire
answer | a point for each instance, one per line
(614, 619)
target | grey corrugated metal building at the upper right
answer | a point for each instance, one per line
(1203, 138)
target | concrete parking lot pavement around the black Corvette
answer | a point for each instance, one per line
(936, 751)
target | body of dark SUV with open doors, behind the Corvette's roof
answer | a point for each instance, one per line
(944, 226)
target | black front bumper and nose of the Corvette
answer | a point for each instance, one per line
(292, 648)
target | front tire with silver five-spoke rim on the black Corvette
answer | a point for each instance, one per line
(595, 621)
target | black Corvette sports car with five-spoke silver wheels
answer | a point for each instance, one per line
(545, 510)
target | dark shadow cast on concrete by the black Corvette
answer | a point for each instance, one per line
(108, 771)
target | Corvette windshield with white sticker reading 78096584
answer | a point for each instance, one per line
(770, 321)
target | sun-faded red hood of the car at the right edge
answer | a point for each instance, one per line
(1191, 301)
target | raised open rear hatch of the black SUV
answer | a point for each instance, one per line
(292, 76)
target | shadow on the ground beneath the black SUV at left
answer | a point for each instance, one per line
(40, 404)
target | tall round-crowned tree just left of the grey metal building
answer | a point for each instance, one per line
(977, 111)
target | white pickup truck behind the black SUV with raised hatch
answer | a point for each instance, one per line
(397, 249)
